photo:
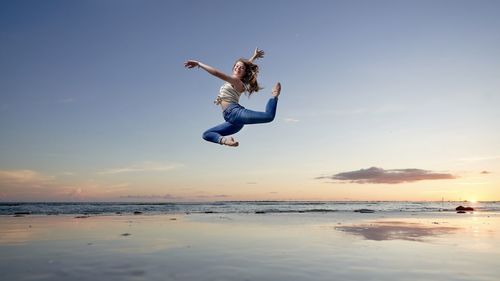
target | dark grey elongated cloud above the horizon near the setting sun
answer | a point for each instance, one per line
(395, 176)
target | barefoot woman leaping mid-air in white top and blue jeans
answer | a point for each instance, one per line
(243, 79)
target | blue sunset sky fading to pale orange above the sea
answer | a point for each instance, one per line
(381, 100)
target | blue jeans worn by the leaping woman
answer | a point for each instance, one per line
(236, 117)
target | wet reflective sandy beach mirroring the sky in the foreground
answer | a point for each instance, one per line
(317, 246)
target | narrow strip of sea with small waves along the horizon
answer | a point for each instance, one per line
(237, 207)
